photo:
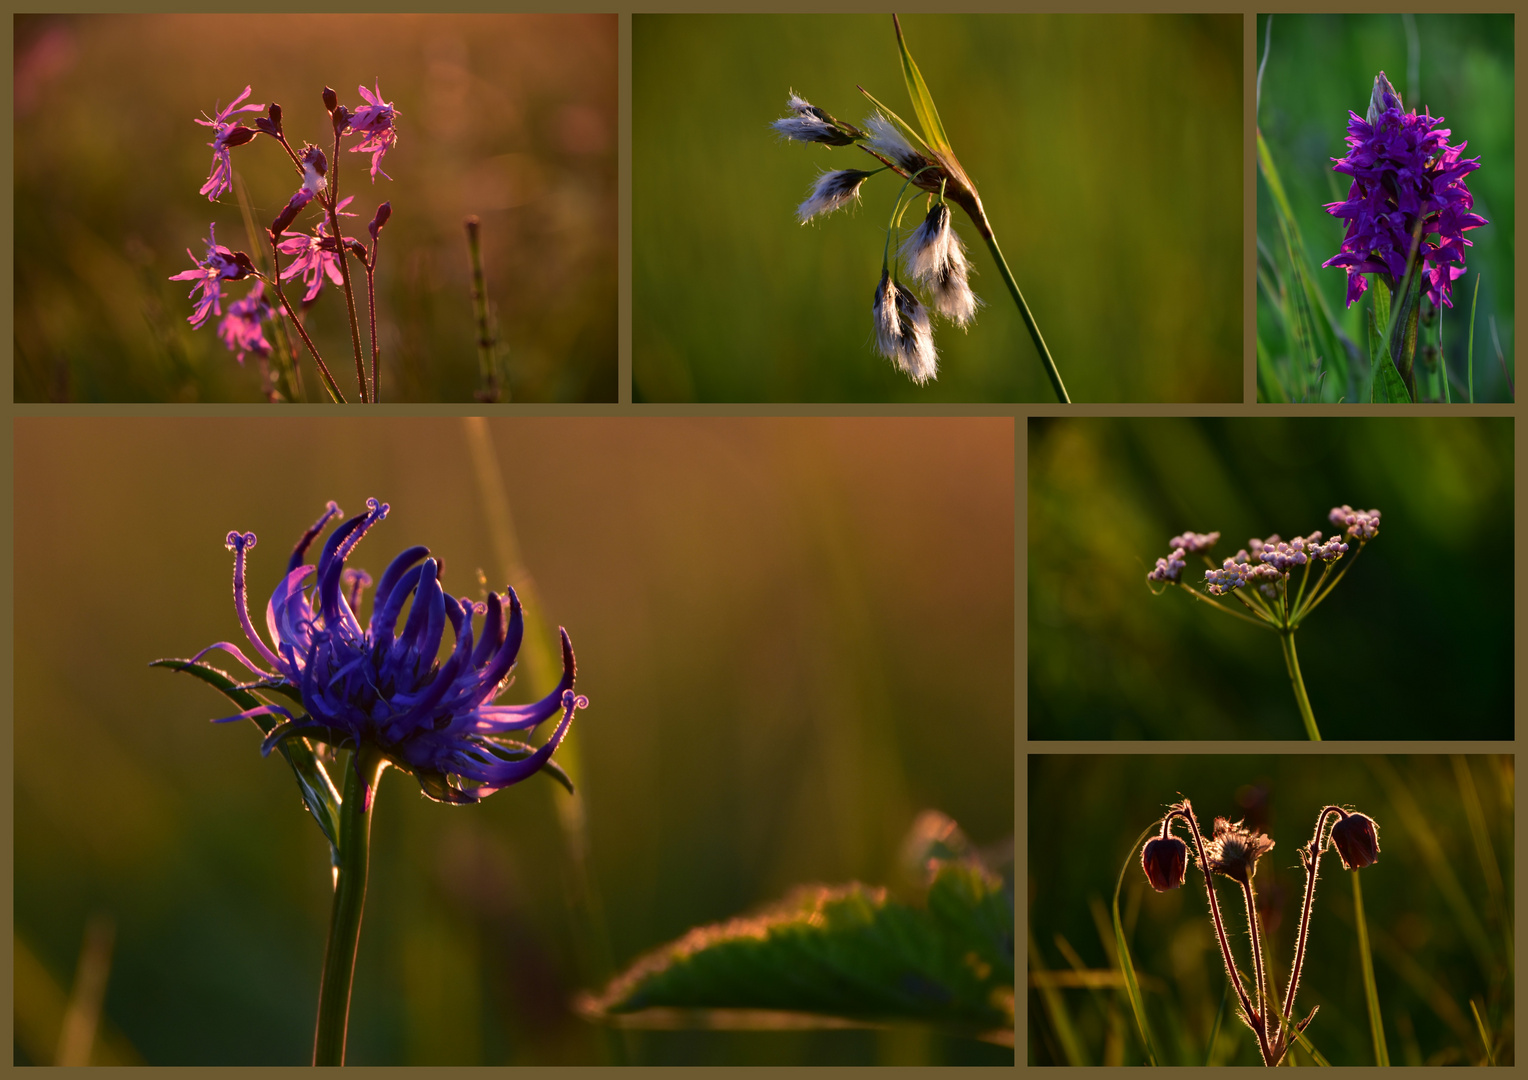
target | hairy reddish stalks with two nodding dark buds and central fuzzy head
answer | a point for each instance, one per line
(1234, 852)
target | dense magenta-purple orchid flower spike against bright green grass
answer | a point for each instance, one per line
(1407, 178)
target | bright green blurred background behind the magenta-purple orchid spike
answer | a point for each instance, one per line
(1321, 68)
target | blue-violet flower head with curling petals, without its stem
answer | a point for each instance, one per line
(386, 687)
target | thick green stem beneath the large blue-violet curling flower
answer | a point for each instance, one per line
(351, 897)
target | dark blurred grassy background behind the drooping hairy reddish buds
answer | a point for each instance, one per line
(1439, 905)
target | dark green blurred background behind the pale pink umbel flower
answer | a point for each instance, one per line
(1416, 642)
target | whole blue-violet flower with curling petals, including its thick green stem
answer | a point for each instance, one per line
(383, 693)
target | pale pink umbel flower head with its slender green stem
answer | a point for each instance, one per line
(1258, 578)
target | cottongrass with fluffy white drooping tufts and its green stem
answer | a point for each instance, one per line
(934, 256)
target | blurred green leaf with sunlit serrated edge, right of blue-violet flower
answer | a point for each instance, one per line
(846, 952)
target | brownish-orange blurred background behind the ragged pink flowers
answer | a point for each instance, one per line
(507, 117)
